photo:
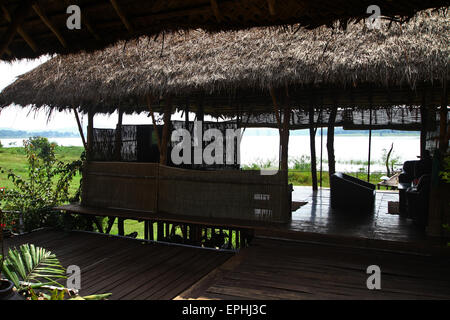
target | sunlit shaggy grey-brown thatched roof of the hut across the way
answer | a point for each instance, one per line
(234, 70)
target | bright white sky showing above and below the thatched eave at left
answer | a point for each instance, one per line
(18, 118)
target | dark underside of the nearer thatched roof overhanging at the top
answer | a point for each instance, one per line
(43, 23)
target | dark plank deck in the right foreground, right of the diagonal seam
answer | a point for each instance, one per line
(275, 269)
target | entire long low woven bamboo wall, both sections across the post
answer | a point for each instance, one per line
(151, 187)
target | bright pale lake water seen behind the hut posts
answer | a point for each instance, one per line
(262, 148)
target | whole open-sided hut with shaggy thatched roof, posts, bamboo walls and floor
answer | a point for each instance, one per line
(393, 78)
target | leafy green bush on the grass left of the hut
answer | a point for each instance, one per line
(46, 185)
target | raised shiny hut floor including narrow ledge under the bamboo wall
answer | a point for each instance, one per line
(316, 221)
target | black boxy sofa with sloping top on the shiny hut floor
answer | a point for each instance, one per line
(351, 194)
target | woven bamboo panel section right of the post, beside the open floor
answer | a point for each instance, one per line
(223, 194)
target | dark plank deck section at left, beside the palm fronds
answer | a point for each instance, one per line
(128, 268)
